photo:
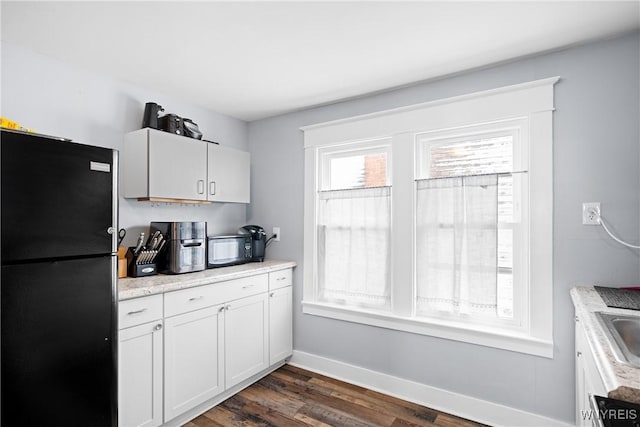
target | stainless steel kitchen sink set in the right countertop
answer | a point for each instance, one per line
(623, 333)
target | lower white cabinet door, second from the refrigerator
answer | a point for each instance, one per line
(193, 359)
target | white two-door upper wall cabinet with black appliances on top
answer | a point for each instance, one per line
(160, 166)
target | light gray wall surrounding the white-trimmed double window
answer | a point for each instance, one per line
(596, 158)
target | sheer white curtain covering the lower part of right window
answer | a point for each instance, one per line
(456, 245)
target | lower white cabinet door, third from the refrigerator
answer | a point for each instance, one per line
(246, 338)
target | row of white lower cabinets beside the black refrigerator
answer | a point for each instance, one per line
(206, 340)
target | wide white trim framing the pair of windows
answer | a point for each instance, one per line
(533, 100)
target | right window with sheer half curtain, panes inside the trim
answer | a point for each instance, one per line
(470, 188)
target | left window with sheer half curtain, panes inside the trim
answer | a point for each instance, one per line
(354, 222)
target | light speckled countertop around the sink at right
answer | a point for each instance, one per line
(621, 380)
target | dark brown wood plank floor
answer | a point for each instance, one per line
(292, 396)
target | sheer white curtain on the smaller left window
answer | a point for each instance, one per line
(353, 246)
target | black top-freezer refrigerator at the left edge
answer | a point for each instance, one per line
(58, 288)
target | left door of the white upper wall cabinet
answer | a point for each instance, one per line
(177, 166)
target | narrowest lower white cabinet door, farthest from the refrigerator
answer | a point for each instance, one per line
(280, 324)
